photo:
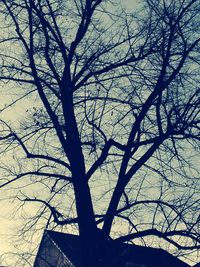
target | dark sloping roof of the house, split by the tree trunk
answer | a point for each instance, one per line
(69, 245)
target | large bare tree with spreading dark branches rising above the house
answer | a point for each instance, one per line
(112, 126)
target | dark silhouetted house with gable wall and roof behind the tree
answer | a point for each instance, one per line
(63, 250)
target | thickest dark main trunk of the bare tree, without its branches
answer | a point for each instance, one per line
(88, 231)
